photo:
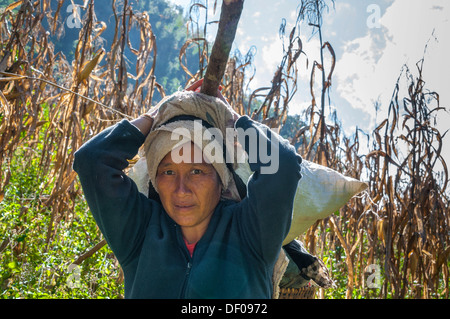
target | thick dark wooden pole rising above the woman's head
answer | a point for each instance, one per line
(229, 18)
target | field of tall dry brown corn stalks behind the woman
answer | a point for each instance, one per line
(50, 106)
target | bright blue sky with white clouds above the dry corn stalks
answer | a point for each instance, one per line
(373, 41)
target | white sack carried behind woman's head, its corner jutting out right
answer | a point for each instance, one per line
(321, 191)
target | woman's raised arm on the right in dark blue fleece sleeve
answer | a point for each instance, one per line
(271, 189)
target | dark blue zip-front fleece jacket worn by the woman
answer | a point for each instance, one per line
(233, 259)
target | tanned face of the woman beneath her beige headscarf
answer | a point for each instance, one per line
(189, 191)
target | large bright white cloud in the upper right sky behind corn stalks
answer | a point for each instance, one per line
(370, 65)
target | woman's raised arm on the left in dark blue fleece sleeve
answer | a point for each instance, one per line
(121, 212)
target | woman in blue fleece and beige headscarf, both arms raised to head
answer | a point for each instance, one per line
(191, 242)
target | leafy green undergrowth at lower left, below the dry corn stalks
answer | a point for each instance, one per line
(32, 267)
